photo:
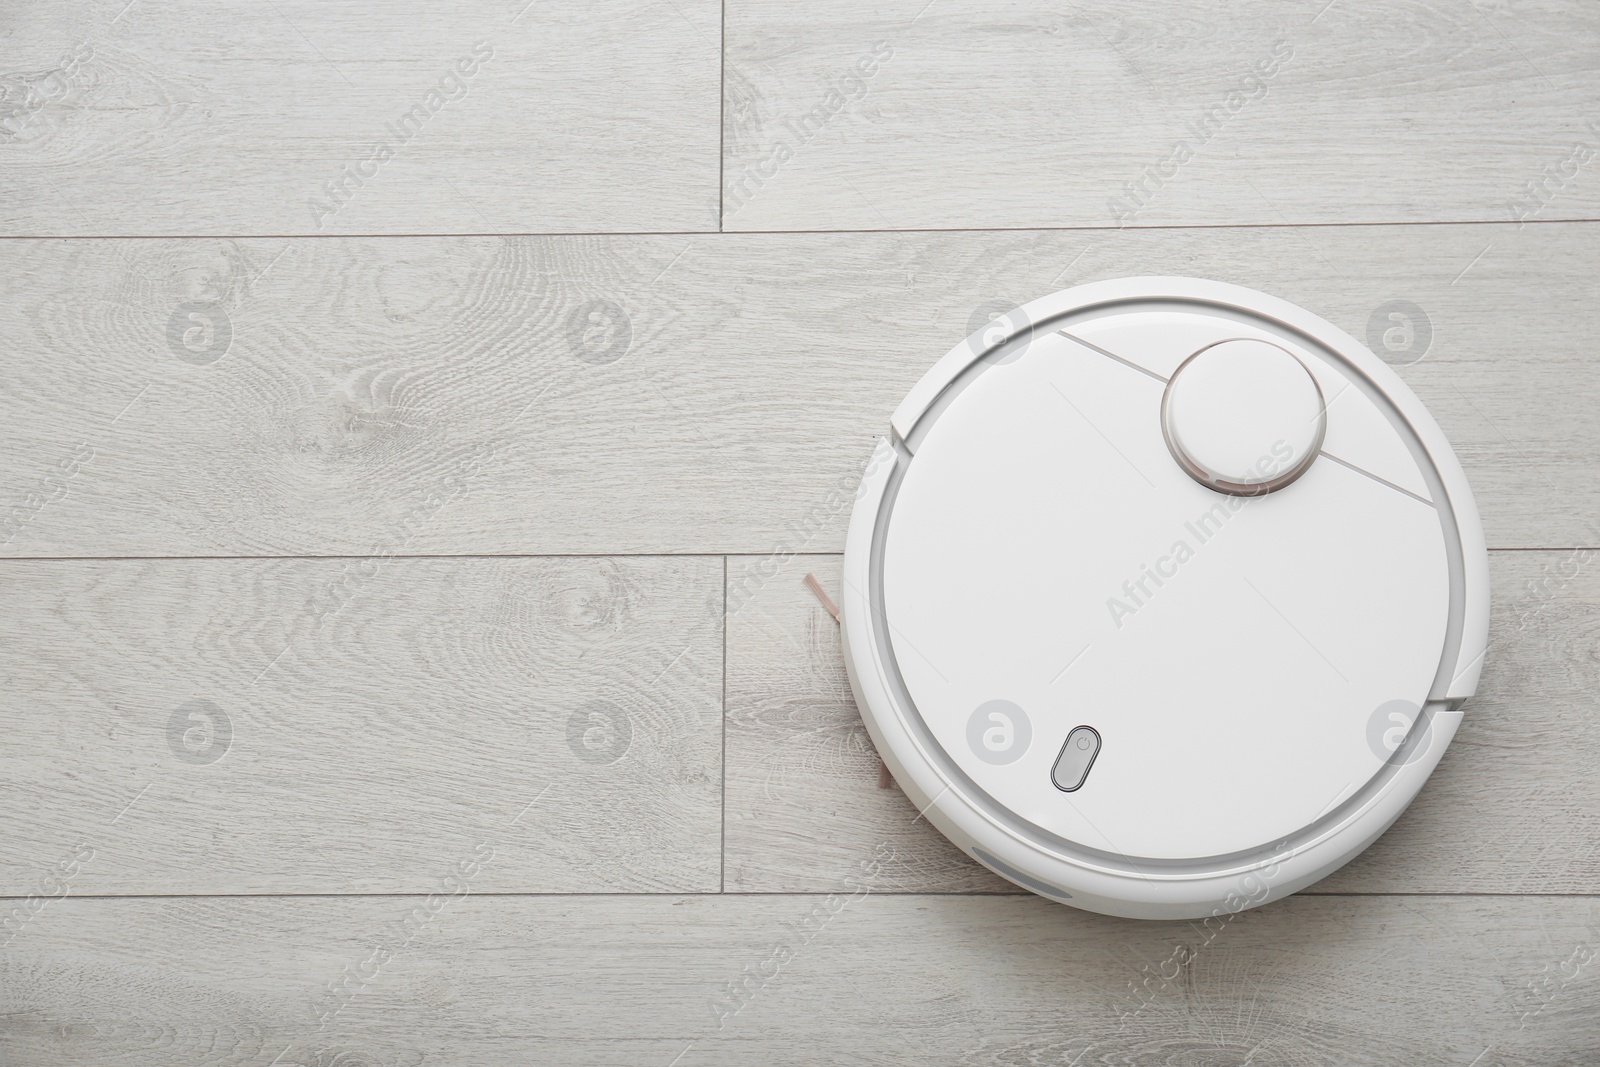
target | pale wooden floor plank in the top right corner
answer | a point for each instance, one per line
(1017, 114)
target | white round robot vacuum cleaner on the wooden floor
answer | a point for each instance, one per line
(1162, 597)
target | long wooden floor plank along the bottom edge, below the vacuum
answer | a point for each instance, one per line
(860, 980)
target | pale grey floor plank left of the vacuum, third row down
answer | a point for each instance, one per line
(364, 724)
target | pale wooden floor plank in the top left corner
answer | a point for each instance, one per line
(159, 119)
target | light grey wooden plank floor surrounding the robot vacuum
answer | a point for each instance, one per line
(412, 462)
